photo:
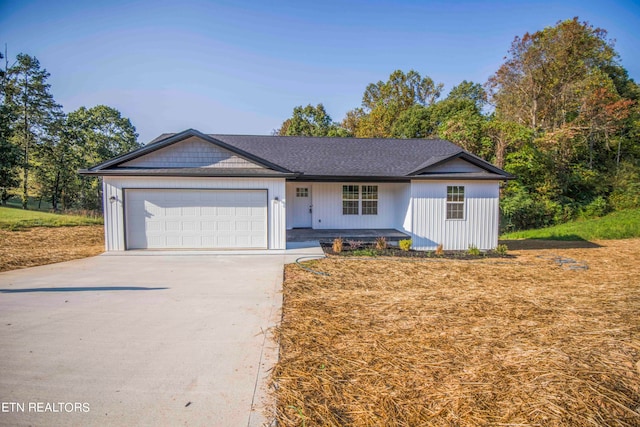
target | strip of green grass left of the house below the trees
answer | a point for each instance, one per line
(16, 219)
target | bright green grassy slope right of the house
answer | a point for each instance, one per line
(617, 225)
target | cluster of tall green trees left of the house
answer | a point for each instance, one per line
(42, 148)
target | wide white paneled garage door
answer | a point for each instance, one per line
(195, 219)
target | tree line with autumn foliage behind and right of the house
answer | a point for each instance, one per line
(561, 113)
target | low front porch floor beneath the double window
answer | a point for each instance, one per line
(327, 235)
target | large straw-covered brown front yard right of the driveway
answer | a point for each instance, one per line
(463, 343)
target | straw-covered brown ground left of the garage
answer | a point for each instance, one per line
(44, 245)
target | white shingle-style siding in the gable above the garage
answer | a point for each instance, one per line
(191, 153)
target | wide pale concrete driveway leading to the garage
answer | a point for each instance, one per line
(139, 340)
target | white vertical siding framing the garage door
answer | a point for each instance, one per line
(114, 214)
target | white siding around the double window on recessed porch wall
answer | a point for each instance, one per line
(393, 202)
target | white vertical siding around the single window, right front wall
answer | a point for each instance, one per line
(431, 228)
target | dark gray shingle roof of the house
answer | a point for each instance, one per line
(321, 158)
